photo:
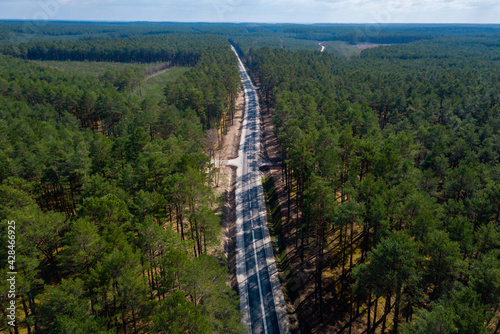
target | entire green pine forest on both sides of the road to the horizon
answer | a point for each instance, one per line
(390, 160)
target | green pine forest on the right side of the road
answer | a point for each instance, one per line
(393, 162)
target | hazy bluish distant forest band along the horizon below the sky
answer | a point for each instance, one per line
(20, 32)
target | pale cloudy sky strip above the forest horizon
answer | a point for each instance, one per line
(295, 11)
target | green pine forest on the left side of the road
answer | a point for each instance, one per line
(115, 223)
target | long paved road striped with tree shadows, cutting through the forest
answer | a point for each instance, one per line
(261, 298)
